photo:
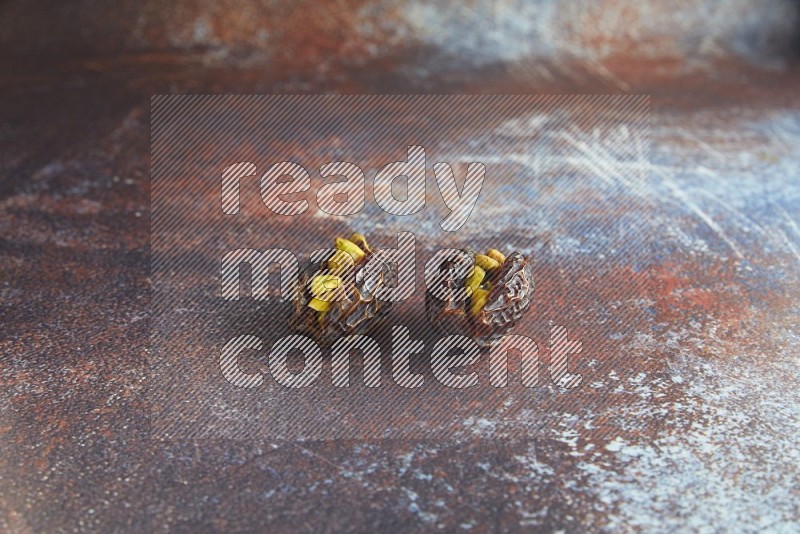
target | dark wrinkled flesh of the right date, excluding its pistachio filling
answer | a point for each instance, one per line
(509, 300)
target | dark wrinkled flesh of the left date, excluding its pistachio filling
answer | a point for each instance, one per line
(358, 314)
